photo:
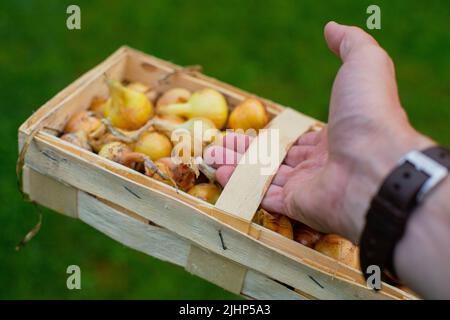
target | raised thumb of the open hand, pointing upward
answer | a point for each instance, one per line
(366, 83)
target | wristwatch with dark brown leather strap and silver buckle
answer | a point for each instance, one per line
(408, 184)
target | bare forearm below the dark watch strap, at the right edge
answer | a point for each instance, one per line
(422, 257)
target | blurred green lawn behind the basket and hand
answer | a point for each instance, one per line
(272, 48)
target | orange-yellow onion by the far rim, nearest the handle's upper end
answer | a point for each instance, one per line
(250, 114)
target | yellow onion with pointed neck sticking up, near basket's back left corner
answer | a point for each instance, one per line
(127, 109)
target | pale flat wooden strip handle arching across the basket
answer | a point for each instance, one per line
(250, 180)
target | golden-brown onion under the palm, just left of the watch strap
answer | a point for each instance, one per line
(339, 248)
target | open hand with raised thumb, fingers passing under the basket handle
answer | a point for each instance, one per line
(328, 178)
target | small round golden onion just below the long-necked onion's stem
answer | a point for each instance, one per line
(154, 144)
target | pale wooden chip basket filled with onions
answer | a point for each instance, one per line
(218, 243)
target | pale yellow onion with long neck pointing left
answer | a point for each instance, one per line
(206, 103)
